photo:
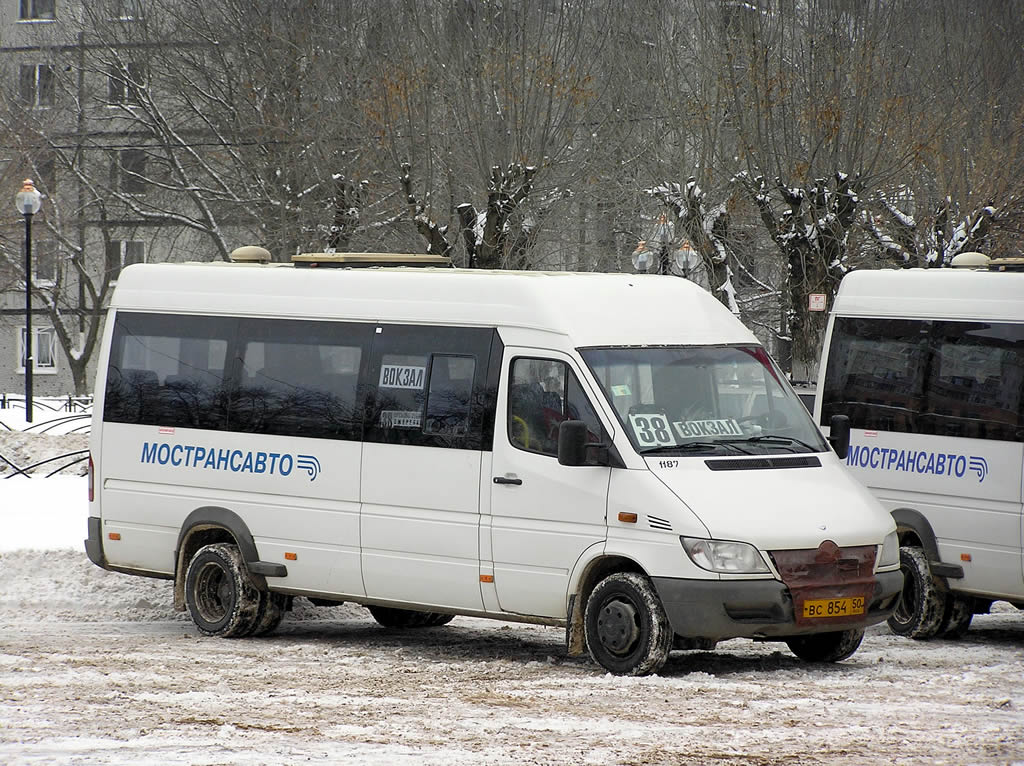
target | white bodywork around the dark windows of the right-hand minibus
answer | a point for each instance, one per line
(970, 490)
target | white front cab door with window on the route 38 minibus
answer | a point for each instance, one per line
(544, 516)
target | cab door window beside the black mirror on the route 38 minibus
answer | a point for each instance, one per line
(542, 395)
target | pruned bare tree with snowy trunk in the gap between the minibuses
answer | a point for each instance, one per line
(816, 91)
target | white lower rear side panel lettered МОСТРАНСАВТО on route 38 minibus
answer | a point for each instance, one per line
(315, 518)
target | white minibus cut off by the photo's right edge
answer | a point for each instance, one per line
(929, 367)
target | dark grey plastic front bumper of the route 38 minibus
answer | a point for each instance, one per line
(759, 609)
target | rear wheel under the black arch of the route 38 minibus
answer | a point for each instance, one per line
(222, 599)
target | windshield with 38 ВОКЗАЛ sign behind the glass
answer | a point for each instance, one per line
(704, 400)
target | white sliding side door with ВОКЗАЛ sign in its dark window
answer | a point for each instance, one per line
(421, 464)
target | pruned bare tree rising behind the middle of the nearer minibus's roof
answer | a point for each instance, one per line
(489, 121)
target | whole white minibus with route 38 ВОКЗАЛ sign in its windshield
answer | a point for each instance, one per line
(613, 454)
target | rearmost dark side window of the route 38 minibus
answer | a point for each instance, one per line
(169, 371)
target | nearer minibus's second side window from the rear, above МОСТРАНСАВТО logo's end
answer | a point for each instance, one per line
(301, 378)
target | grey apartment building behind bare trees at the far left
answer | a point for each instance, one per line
(77, 116)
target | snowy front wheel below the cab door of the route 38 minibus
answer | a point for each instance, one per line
(625, 625)
